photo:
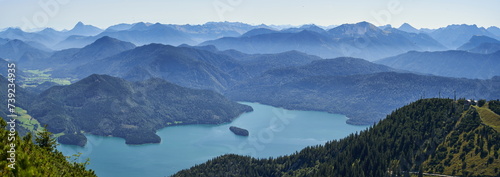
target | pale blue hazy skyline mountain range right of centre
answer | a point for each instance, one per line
(362, 40)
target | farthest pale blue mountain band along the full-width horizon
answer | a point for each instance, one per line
(361, 40)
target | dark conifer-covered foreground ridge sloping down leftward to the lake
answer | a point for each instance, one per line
(429, 135)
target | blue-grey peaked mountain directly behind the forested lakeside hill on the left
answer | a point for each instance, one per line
(194, 67)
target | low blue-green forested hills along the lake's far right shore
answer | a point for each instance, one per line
(364, 98)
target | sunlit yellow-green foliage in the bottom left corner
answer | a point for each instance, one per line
(37, 158)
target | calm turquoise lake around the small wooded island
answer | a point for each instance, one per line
(273, 132)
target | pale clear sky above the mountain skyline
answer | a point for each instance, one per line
(64, 14)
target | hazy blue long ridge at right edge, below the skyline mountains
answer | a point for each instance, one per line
(448, 63)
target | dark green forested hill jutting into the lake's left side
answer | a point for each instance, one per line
(105, 105)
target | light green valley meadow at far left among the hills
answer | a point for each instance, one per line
(37, 77)
